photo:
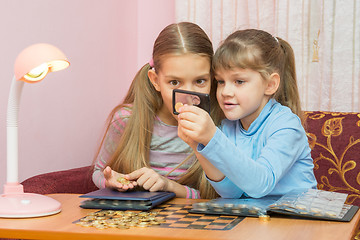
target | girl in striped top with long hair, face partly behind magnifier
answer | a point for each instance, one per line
(141, 142)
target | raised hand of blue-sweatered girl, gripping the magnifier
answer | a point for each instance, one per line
(195, 126)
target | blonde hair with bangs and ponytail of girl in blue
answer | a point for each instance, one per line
(261, 52)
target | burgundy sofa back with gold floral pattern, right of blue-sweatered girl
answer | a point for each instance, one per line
(334, 138)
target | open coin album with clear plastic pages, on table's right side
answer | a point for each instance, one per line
(305, 203)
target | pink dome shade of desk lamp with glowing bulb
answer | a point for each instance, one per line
(35, 61)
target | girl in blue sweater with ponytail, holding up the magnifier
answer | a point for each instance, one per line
(261, 147)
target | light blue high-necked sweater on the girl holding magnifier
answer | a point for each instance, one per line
(271, 158)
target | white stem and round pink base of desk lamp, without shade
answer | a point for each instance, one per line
(14, 203)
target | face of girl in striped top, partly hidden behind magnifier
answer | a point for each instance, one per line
(187, 72)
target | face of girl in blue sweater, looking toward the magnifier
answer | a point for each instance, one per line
(241, 93)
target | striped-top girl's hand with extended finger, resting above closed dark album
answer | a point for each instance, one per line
(149, 179)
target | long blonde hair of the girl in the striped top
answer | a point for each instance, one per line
(133, 149)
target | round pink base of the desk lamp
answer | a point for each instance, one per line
(27, 205)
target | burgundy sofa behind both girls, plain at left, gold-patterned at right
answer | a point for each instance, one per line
(334, 138)
